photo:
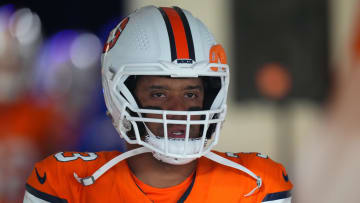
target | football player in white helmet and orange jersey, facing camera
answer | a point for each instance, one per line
(165, 82)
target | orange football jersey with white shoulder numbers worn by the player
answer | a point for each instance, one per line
(53, 180)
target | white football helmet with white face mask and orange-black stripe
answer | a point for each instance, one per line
(164, 42)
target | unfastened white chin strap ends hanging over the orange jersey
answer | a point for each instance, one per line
(210, 155)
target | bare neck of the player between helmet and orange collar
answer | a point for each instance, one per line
(159, 174)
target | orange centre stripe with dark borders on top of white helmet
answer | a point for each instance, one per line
(181, 42)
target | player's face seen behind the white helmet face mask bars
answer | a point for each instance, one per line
(163, 93)
